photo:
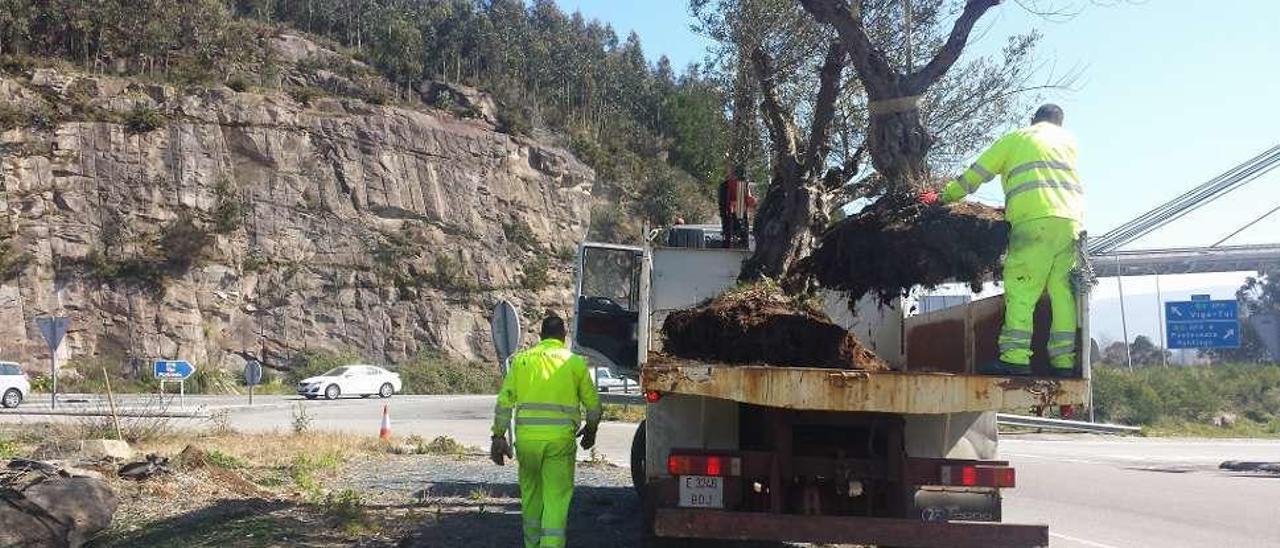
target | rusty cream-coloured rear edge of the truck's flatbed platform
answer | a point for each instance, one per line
(828, 390)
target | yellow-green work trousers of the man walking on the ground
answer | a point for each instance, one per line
(546, 490)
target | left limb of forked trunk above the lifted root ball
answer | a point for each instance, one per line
(877, 75)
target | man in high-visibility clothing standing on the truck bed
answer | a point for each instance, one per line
(1045, 208)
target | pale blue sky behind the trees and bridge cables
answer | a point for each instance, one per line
(1171, 94)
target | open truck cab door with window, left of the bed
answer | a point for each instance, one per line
(607, 317)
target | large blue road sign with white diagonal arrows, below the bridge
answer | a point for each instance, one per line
(1203, 323)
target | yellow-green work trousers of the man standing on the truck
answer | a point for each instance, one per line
(1041, 258)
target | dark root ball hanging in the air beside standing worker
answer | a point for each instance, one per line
(889, 249)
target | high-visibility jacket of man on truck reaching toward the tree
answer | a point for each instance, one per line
(1037, 170)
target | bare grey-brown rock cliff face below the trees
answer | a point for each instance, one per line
(220, 226)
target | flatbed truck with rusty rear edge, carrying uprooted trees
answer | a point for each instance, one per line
(904, 458)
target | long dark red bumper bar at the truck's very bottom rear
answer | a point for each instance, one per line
(726, 526)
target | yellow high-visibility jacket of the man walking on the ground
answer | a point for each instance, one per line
(547, 389)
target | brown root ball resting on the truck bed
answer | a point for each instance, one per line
(760, 325)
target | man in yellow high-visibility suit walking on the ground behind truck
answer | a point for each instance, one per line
(547, 389)
